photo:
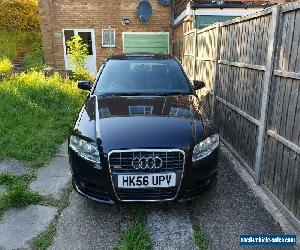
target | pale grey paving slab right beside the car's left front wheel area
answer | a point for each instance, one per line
(53, 180)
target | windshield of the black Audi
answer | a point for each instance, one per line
(142, 77)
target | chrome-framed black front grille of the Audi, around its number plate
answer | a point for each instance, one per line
(121, 162)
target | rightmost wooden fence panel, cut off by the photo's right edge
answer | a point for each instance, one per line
(281, 158)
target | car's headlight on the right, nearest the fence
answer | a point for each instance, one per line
(205, 147)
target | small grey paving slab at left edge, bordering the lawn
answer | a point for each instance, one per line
(14, 167)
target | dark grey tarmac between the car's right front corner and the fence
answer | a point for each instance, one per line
(231, 210)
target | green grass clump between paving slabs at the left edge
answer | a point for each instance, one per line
(18, 193)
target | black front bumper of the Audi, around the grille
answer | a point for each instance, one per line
(96, 184)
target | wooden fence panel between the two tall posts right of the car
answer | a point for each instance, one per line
(242, 66)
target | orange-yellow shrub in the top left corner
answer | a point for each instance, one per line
(19, 15)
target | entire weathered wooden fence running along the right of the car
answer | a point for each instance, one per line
(251, 66)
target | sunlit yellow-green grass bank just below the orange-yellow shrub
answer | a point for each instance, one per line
(11, 41)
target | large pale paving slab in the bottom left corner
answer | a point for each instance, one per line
(19, 226)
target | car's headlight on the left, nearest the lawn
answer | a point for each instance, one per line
(86, 150)
